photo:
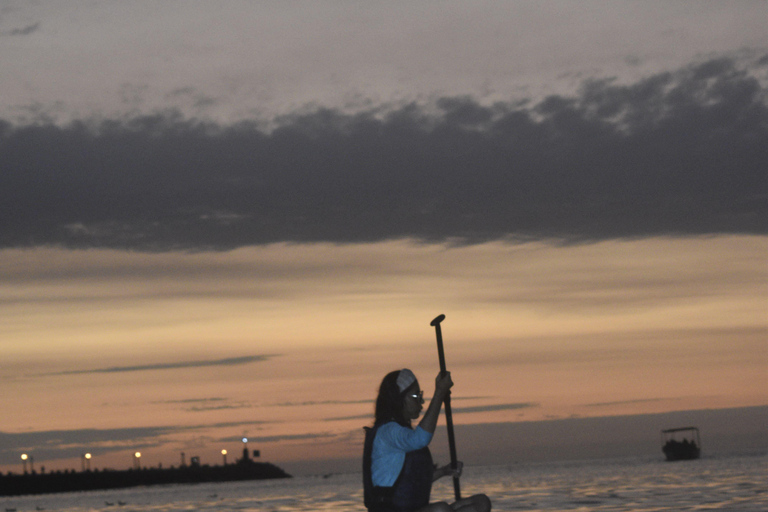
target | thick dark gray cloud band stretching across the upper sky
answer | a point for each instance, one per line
(678, 153)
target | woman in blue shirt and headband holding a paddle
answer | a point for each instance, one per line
(397, 466)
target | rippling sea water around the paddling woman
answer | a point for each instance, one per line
(737, 483)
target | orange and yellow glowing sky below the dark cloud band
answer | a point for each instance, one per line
(110, 340)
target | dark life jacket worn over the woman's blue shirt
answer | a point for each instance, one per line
(411, 489)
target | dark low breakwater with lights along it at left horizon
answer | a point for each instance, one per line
(68, 481)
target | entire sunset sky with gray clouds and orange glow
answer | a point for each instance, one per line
(232, 219)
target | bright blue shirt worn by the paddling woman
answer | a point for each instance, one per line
(391, 444)
